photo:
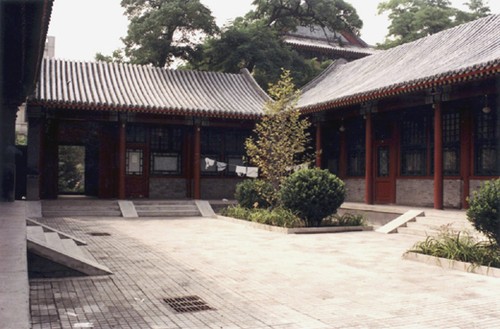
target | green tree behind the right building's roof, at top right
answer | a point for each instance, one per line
(414, 19)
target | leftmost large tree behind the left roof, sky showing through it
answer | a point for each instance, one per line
(163, 30)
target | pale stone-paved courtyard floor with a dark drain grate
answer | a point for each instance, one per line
(258, 279)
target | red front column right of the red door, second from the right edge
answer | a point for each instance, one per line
(438, 156)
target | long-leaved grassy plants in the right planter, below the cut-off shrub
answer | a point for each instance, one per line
(459, 246)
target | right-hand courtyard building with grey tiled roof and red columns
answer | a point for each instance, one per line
(414, 125)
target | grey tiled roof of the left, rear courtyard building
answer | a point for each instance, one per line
(113, 86)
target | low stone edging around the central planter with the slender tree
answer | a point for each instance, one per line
(297, 230)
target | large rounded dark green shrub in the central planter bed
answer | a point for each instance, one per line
(312, 194)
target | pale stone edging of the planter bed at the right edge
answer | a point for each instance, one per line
(452, 264)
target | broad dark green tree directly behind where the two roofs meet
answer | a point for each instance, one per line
(258, 48)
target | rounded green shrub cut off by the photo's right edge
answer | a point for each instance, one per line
(484, 210)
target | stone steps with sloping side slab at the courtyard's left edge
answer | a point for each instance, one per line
(59, 253)
